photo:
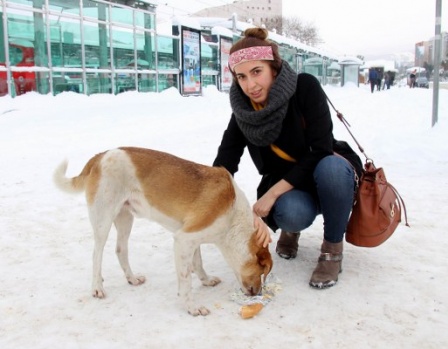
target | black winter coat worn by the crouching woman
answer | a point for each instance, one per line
(307, 136)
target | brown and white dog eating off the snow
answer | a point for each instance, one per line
(198, 203)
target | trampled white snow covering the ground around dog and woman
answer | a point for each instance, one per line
(392, 296)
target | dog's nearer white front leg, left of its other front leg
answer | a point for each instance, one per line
(183, 254)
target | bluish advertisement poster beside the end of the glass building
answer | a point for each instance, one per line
(191, 63)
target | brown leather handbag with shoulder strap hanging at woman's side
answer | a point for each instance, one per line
(377, 208)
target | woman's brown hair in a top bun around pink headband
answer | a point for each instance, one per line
(258, 37)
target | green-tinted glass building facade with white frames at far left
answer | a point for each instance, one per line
(51, 46)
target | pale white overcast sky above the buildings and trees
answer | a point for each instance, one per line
(352, 27)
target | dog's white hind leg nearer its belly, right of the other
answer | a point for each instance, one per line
(123, 224)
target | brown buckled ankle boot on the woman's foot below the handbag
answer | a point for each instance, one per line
(328, 266)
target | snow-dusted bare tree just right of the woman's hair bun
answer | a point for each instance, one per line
(293, 27)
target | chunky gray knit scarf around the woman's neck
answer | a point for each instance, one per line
(263, 127)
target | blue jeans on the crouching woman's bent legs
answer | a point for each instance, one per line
(296, 210)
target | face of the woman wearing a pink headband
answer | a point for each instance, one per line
(255, 79)
